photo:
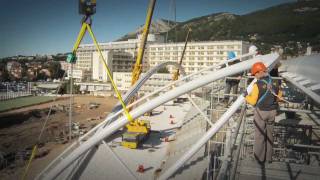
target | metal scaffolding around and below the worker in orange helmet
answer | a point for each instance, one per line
(235, 140)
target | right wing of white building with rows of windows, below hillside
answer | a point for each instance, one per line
(198, 54)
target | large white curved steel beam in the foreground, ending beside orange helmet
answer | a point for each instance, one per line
(149, 105)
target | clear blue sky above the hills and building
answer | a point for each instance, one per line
(30, 27)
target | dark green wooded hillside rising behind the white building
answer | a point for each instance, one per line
(283, 25)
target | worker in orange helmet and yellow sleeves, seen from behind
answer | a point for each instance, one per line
(264, 97)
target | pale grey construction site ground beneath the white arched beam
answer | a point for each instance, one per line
(175, 127)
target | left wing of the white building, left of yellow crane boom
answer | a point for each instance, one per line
(120, 56)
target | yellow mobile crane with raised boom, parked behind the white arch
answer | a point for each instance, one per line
(138, 130)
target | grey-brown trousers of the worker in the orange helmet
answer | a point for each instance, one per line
(263, 121)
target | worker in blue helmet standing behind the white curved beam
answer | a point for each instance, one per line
(232, 81)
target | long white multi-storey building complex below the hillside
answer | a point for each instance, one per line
(121, 56)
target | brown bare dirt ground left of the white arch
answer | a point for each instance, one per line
(21, 133)
